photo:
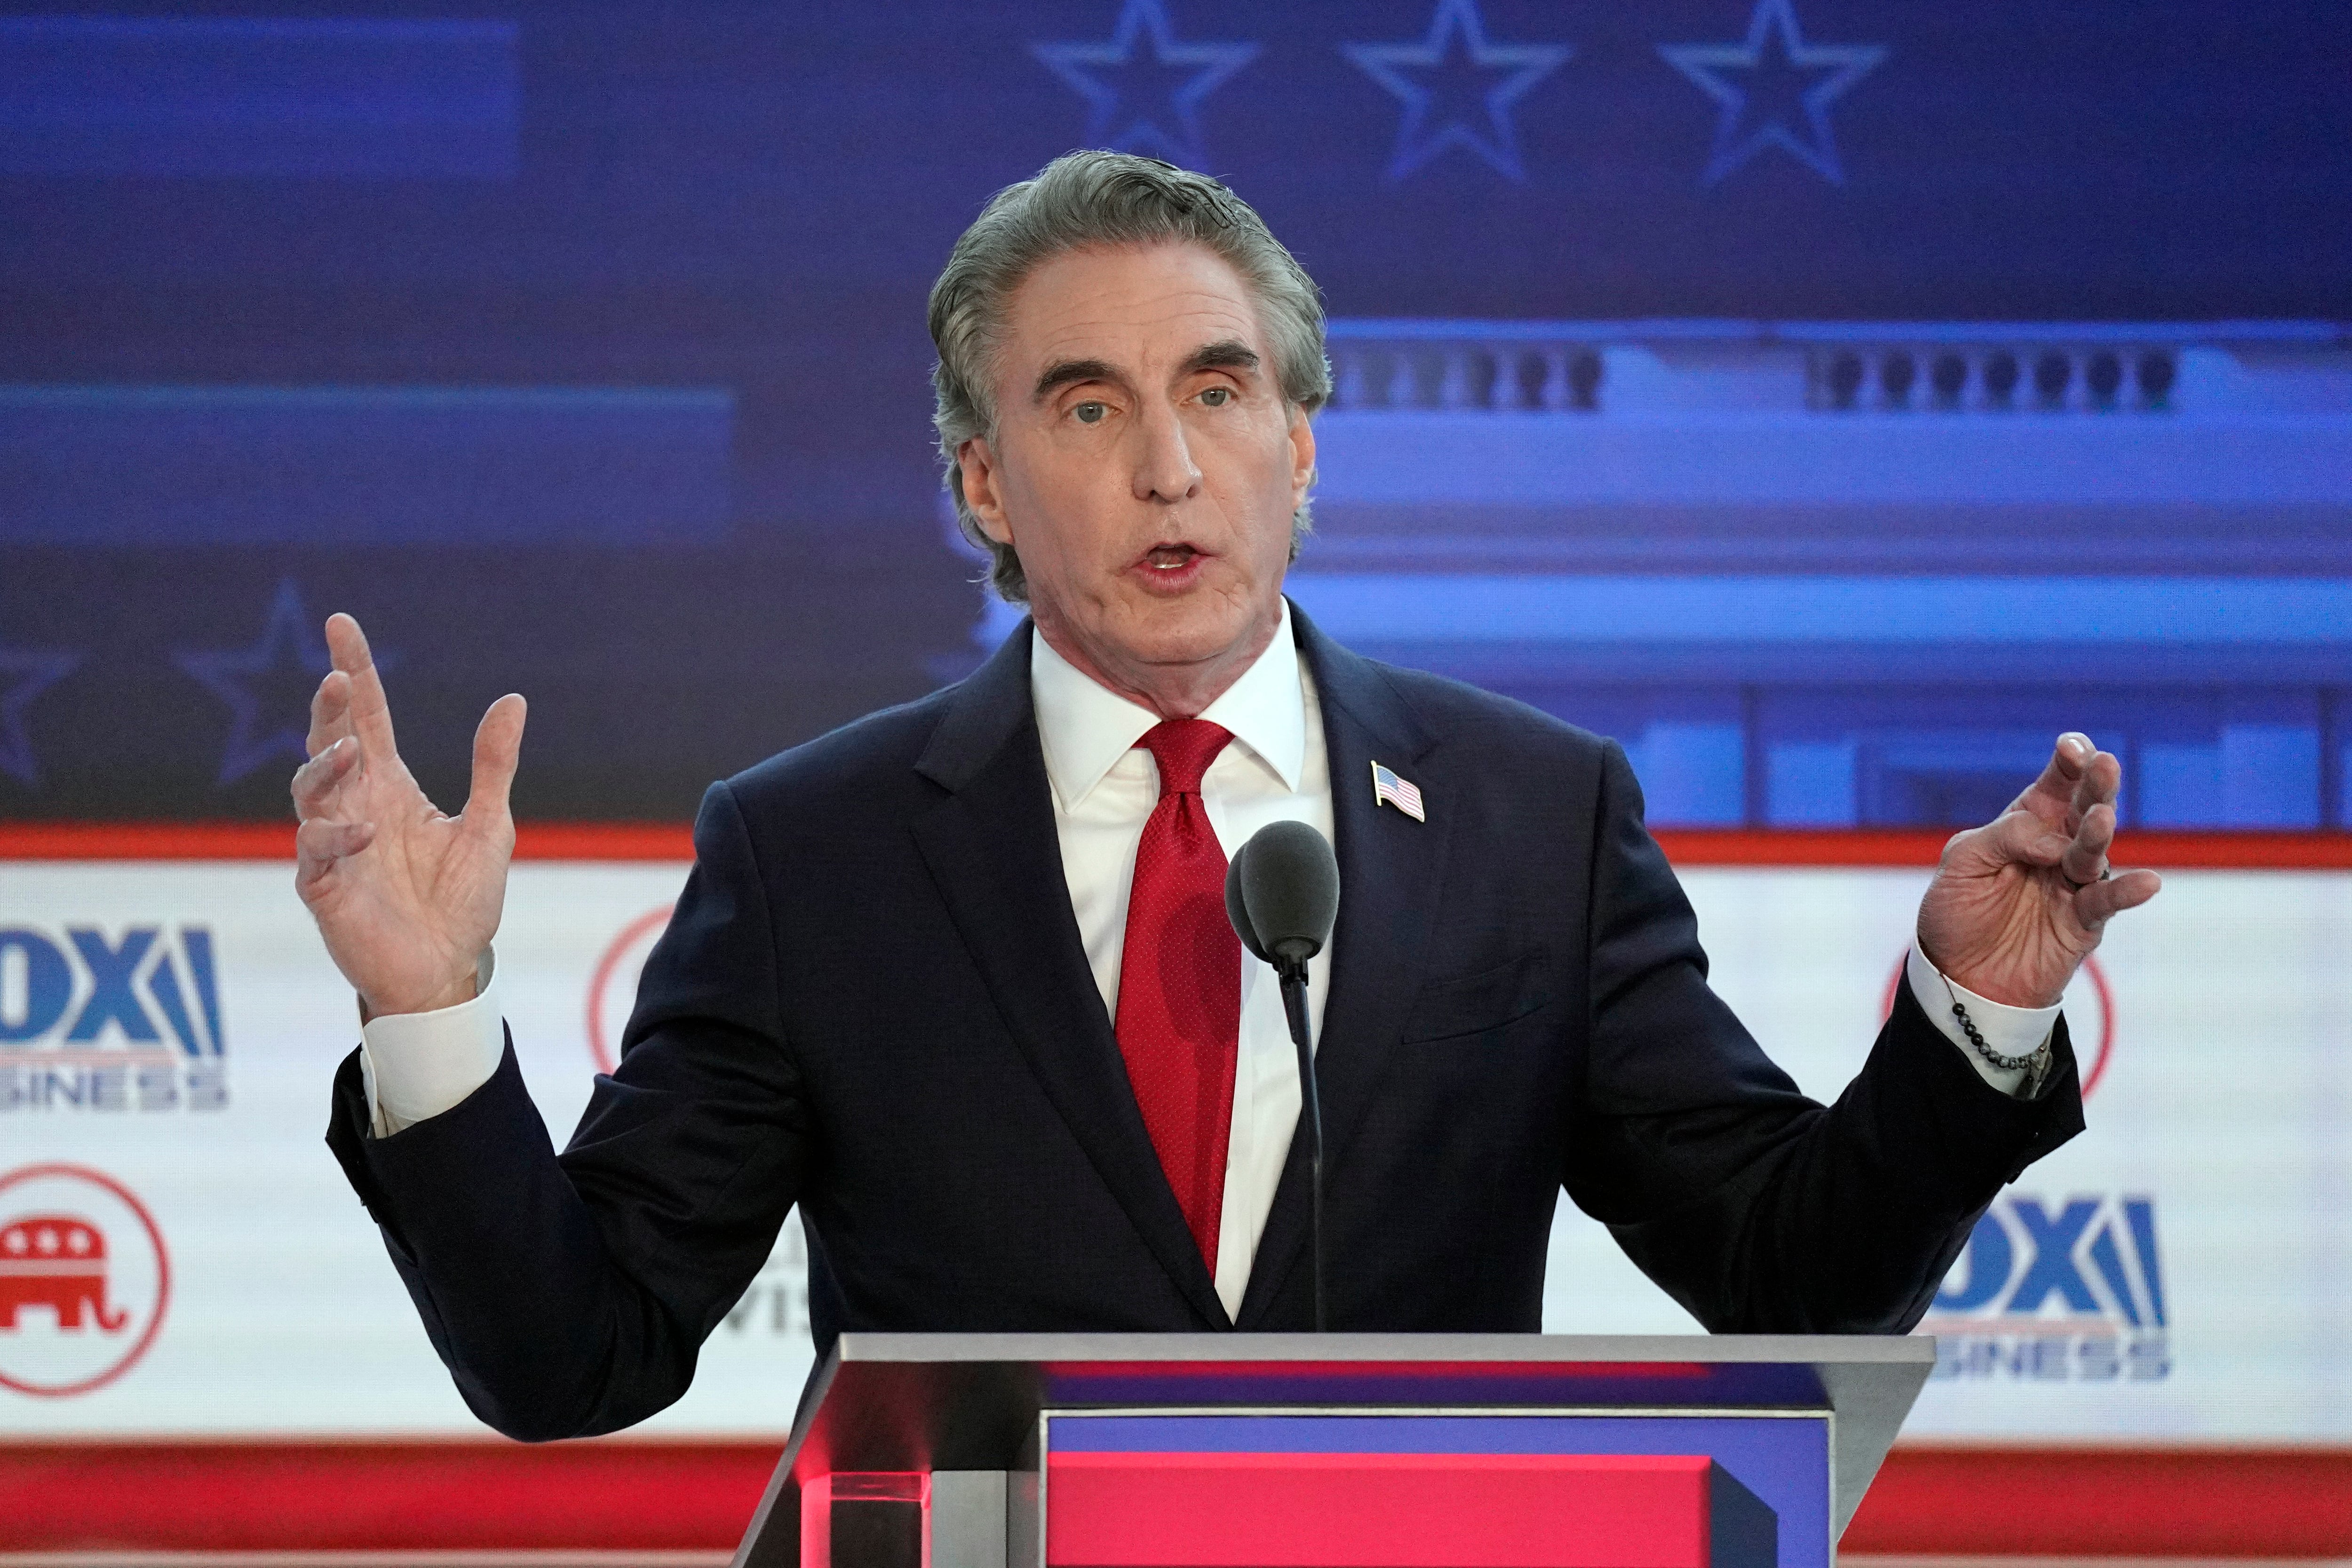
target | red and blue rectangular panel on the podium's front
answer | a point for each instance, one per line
(1438, 1492)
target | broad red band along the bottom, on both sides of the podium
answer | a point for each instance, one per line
(681, 1496)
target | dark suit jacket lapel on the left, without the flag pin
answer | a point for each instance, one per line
(994, 852)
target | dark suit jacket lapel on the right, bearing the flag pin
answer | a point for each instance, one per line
(1389, 876)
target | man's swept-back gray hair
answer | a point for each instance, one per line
(1102, 199)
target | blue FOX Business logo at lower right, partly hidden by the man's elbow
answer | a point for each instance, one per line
(2059, 1294)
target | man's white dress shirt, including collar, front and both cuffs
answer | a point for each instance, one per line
(1104, 789)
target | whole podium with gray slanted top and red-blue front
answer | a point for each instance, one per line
(1335, 1452)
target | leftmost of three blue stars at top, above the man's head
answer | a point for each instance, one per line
(1144, 88)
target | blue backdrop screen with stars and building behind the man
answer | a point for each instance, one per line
(1829, 398)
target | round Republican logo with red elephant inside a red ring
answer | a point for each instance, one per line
(83, 1280)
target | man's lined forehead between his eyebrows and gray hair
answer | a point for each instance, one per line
(1142, 309)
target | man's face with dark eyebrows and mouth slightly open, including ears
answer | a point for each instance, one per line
(1144, 467)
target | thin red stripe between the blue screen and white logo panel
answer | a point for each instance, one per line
(1683, 845)
